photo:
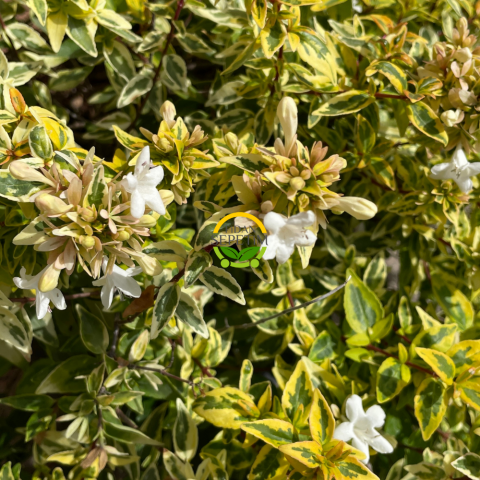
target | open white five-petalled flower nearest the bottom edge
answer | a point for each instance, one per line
(361, 428)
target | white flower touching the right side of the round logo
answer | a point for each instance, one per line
(286, 233)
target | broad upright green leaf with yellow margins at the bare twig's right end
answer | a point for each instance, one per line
(362, 307)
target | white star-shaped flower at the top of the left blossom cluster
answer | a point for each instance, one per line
(142, 185)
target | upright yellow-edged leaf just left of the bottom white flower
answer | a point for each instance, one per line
(298, 393)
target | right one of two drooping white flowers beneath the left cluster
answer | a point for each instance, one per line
(120, 280)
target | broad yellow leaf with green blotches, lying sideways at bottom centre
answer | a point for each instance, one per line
(226, 407)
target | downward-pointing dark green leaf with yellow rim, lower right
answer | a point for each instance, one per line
(430, 405)
